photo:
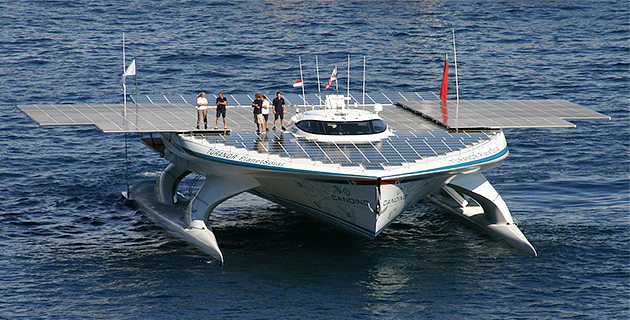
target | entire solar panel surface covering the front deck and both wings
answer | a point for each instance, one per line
(412, 117)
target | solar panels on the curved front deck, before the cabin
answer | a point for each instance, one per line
(396, 150)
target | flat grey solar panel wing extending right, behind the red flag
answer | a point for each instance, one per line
(501, 114)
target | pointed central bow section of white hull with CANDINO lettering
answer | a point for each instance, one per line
(352, 206)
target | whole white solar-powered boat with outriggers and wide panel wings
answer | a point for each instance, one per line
(355, 165)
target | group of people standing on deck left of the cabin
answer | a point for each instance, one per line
(261, 107)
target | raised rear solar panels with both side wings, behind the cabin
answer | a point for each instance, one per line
(402, 111)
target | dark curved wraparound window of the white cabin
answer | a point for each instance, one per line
(342, 128)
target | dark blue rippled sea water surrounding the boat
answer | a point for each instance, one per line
(71, 248)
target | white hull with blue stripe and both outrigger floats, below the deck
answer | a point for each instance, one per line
(362, 203)
